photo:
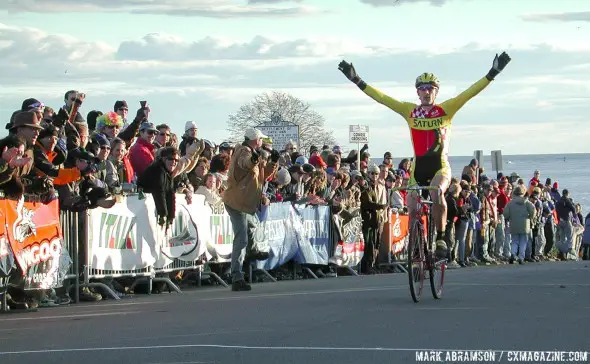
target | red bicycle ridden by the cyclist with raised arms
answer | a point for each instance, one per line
(420, 250)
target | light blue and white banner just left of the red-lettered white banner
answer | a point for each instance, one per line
(312, 228)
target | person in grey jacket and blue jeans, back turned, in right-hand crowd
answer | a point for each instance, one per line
(519, 212)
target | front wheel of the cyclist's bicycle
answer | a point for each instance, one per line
(416, 260)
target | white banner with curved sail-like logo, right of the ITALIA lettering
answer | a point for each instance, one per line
(183, 240)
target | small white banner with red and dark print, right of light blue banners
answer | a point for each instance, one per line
(351, 243)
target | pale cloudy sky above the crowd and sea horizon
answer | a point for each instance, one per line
(201, 59)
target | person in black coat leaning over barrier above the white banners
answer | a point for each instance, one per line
(159, 181)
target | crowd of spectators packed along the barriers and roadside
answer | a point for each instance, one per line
(89, 161)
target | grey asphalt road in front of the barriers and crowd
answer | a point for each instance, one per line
(369, 319)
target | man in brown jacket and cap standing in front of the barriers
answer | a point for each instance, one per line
(242, 199)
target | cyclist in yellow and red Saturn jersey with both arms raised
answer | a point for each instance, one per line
(430, 130)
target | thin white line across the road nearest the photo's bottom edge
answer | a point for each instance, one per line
(233, 347)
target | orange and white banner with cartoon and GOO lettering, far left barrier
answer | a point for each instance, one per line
(34, 234)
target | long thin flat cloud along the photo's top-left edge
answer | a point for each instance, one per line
(184, 8)
